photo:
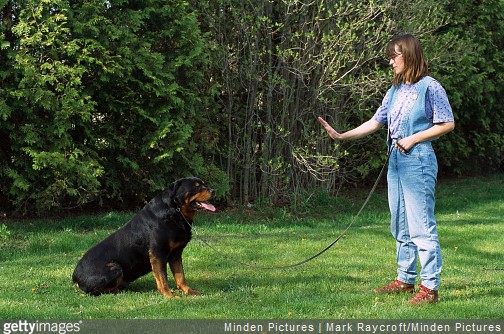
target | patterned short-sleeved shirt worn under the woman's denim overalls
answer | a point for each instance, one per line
(437, 106)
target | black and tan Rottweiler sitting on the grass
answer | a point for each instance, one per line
(155, 236)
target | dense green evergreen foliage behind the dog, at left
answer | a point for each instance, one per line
(98, 100)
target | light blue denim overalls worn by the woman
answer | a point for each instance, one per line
(411, 186)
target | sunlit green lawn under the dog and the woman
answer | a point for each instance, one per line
(38, 256)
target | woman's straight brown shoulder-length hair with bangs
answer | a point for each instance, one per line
(415, 63)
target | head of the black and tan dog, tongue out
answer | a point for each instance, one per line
(192, 195)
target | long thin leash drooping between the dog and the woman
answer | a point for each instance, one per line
(250, 265)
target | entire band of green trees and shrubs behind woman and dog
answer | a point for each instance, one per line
(104, 103)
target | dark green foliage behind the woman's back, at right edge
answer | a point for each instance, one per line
(473, 74)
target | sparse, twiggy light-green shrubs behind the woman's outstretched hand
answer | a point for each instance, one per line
(287, 62)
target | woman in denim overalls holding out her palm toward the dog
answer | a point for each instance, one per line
(416, 111)
